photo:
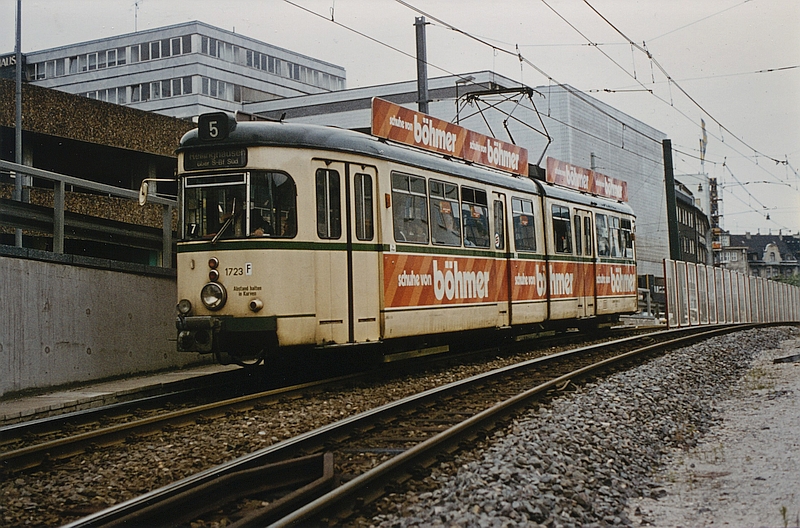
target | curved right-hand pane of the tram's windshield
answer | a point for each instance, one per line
(273, 205)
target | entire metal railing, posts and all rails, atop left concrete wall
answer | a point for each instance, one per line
(57, 222)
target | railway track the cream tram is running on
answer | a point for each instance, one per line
(51, 439)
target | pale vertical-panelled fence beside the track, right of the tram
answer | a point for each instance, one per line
(702, 295)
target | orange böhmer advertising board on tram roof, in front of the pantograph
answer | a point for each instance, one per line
(395, 122)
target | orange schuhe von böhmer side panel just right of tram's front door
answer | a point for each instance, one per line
(426, 280)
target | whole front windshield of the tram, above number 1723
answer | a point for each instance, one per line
(226, 206)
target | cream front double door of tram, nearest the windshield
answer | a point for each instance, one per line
(346, 267)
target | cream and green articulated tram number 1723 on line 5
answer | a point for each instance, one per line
(300, 237)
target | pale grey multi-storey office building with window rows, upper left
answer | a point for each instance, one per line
(181, 71)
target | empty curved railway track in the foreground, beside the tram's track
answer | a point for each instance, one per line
(377, 450)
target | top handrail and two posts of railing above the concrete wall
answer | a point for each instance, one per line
(62, 180)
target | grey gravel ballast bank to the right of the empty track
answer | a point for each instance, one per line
(583, 458)
